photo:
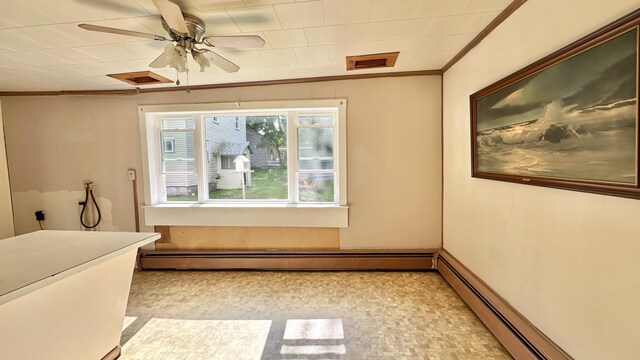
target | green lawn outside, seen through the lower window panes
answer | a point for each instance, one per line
(268, 184)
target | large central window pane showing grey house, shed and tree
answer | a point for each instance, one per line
(260, 139)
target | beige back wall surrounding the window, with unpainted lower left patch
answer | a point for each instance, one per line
(393, 131)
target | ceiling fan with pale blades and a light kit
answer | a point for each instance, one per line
(186, 31)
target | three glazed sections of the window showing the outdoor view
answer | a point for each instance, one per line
(246, 156)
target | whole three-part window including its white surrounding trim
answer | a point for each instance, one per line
(258, 155)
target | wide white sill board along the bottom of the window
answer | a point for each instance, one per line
(256, 214)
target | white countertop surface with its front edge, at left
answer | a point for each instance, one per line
(31, 261)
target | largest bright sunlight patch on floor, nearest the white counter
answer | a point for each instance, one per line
(178, 339)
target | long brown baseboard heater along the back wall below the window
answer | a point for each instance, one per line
(288, 260)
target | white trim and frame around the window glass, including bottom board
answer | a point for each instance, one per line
(158, 212)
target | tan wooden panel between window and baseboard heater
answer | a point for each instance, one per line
(229, 237)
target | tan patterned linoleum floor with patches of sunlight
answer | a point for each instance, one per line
(301, 315)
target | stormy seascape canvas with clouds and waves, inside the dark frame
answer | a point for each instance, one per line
(576, 119)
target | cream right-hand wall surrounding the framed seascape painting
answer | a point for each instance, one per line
(567, 260)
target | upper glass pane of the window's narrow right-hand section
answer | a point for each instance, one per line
(315, 148)
